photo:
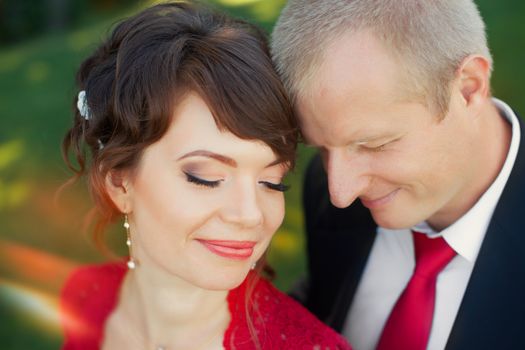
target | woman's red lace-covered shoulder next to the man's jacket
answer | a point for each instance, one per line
(280, 322)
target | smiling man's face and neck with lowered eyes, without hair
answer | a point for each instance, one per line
(403, 162)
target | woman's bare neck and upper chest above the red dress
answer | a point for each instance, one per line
(171, 312)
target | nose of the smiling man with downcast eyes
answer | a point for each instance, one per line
(346, 177)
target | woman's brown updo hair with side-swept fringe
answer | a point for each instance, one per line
(134, 79)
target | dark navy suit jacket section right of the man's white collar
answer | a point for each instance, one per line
(492, 313)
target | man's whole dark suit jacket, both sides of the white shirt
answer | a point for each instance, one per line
(492, 312)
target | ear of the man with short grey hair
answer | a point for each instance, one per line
(474, 80)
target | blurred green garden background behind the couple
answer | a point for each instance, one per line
(42, 240)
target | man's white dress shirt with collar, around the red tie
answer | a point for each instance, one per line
(391, 262)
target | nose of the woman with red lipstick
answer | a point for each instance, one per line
(243, 208)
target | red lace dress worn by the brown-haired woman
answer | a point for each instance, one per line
(91, 293)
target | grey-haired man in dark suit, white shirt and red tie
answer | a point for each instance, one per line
(414, 152)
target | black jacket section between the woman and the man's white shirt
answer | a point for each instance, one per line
(338, 246)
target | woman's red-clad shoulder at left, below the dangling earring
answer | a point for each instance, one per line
(87, 298)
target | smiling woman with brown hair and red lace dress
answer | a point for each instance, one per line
(190, 134)
